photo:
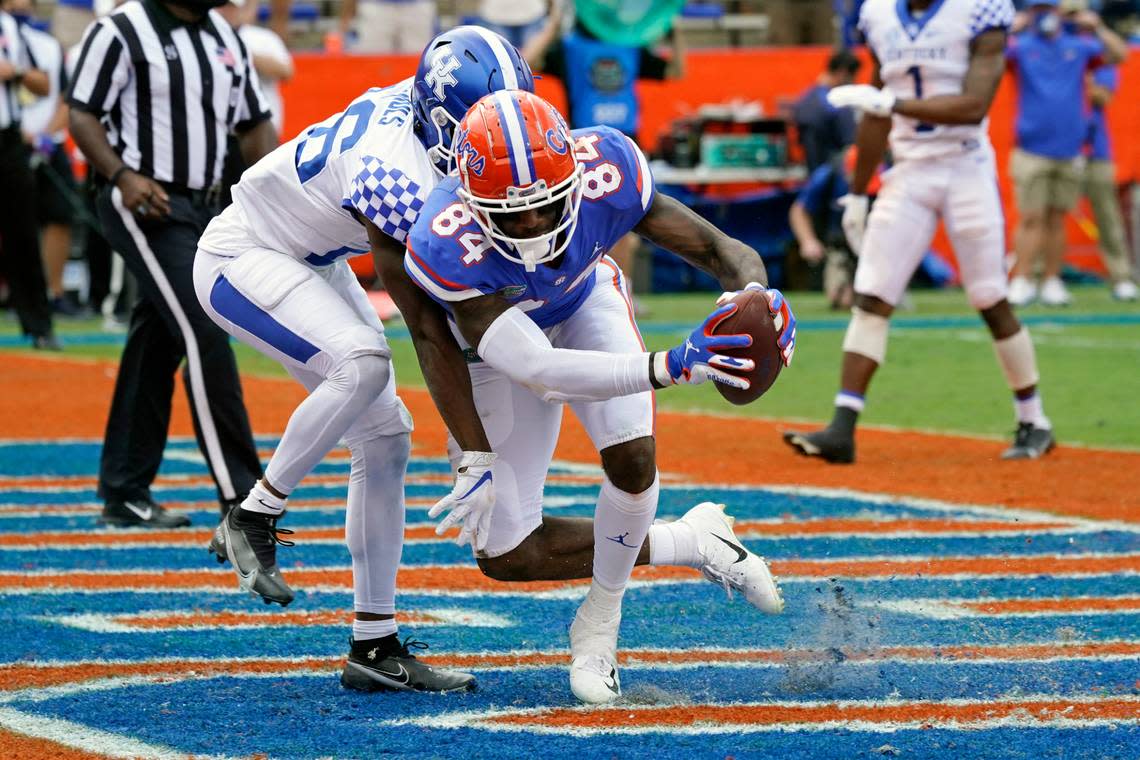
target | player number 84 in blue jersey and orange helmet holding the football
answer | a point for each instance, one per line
(515, 248)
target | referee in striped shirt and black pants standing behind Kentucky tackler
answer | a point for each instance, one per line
(159, 87)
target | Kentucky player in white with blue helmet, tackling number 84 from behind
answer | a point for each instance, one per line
(272, 272)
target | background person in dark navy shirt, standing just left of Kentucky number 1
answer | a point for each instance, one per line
(825, 130)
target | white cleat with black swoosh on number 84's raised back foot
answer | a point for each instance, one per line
(728, 563)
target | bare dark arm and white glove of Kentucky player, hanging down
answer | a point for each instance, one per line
(473, 500)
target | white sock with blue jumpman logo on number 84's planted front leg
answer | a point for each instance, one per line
(622, 522)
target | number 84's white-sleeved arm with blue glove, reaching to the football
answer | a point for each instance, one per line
(511, 342)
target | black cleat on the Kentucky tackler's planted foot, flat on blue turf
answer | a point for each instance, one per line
(386, 665)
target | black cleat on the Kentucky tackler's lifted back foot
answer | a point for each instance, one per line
(249, 541)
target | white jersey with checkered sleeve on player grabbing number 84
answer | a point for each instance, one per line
(302, 198)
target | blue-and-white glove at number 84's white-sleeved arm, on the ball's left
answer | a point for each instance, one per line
(697, 359)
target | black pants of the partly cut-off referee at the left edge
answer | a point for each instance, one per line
(20, 236)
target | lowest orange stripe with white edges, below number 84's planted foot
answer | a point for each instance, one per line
(915, 713)
